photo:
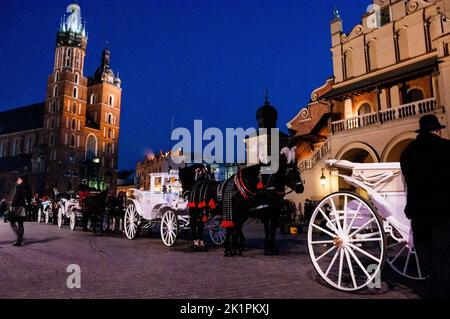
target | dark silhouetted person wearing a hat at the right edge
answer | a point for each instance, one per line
(424, 164)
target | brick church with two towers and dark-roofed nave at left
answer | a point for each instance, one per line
(72, 135)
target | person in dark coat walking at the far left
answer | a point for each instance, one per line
(22, 198)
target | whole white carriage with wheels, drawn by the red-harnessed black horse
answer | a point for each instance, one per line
(165, 206)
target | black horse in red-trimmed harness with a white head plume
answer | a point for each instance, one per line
(246, 194)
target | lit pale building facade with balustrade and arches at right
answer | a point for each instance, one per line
(388, 71)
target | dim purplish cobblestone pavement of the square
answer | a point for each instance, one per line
(115, 267)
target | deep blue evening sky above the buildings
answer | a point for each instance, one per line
(209, 60)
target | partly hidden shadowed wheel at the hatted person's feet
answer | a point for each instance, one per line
(402, 257)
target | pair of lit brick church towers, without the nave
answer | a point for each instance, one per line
(82, 114)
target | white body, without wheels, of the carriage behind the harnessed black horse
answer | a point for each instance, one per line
(165, 191)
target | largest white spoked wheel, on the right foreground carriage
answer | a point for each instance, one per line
(346, 241)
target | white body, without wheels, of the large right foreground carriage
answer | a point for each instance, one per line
(385, 186)
